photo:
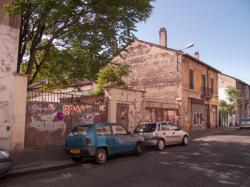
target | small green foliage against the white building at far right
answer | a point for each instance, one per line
(229, 106)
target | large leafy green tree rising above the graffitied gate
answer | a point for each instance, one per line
(59, 37)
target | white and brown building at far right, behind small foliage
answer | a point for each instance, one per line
(243, 105)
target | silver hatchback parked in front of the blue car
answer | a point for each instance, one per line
(161, 134)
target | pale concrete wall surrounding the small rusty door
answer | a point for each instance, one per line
(133, 98)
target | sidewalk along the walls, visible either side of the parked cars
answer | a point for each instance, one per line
(54, 158)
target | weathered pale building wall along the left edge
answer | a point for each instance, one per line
(12, 85)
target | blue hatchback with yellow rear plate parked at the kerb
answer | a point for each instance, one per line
(101, 140)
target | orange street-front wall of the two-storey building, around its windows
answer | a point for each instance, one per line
(188, 118)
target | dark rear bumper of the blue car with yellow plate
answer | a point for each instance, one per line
(80, 151)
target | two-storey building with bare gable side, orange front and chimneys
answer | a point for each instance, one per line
(179, 87)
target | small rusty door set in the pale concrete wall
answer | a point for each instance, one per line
(122, 114)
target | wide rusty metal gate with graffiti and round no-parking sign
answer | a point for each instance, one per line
(44, 127)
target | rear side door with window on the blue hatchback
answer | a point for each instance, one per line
(105, 137)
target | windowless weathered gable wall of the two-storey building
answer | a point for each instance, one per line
(153, 69)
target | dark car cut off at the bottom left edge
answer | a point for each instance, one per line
(5, 162)
